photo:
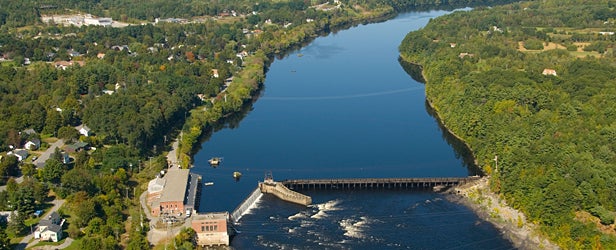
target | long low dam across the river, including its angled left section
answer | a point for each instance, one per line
(284, 190)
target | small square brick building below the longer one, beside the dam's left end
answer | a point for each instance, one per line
(211, 228)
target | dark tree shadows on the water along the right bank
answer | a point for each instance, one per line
(460, 148)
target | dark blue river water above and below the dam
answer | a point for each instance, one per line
(343, 107)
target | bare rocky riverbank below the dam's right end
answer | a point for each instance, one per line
(490, 207)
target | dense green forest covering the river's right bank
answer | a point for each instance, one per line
(530, 87)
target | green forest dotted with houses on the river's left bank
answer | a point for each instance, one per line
(137, 87)
